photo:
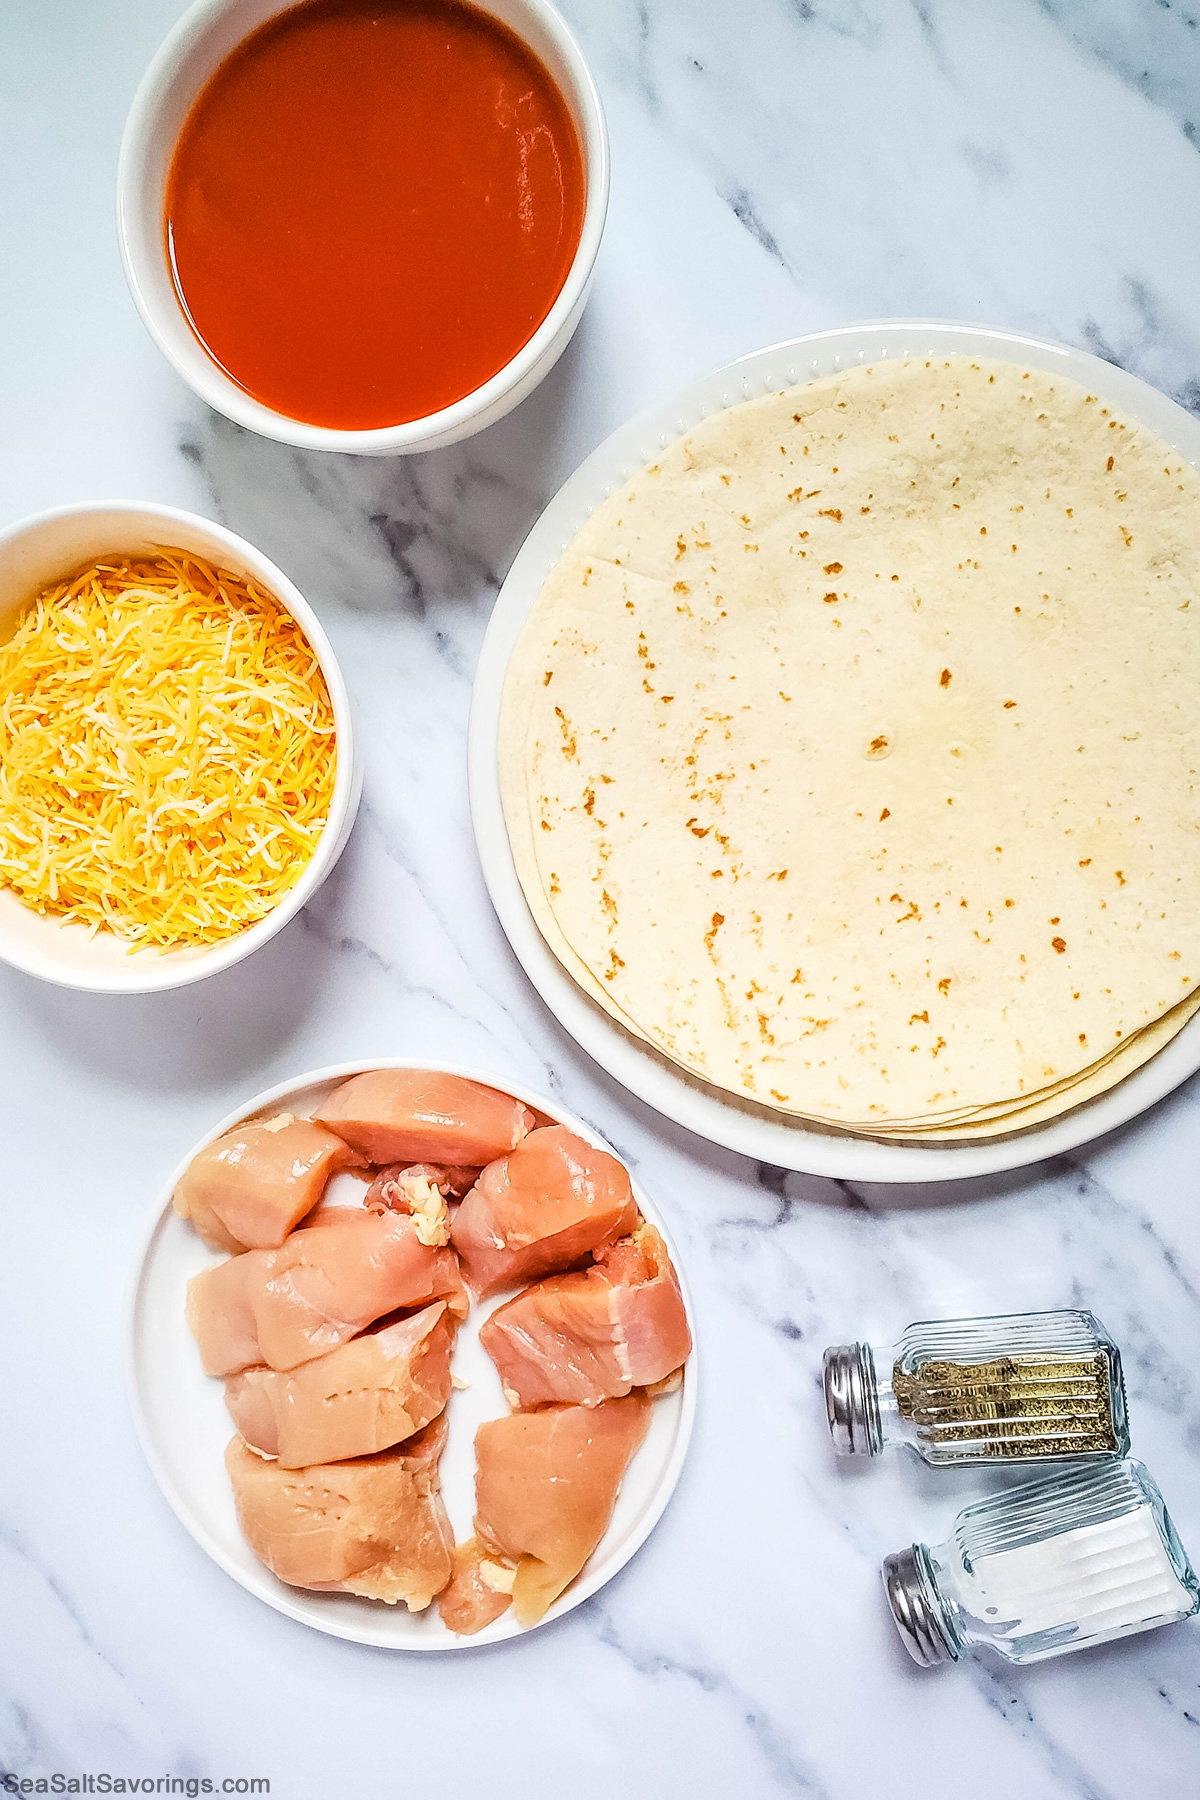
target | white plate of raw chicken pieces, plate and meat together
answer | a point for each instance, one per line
(411, 1356)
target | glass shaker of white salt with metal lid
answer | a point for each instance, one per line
(1048, 1567)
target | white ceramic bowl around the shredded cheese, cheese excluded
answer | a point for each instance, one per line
(51, 546)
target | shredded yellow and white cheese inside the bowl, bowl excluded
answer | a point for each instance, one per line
(166, 751)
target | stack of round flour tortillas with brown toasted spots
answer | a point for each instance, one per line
(850, 753)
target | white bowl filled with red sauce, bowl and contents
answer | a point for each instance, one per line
(364, 224)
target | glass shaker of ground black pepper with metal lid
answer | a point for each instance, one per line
(1014, 1389)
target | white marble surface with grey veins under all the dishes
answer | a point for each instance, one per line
(778, 166)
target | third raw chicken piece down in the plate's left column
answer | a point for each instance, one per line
(364, 1398)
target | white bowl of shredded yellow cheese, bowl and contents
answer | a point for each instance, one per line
(177, 757)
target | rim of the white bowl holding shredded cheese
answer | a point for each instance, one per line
(168, 971)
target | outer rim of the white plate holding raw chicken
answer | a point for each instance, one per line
(505, 1630)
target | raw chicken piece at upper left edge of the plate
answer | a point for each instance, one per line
(251, 1187)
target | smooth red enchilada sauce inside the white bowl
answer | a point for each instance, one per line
(373, 208)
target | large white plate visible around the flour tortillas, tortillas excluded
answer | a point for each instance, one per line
(672, 1092)
